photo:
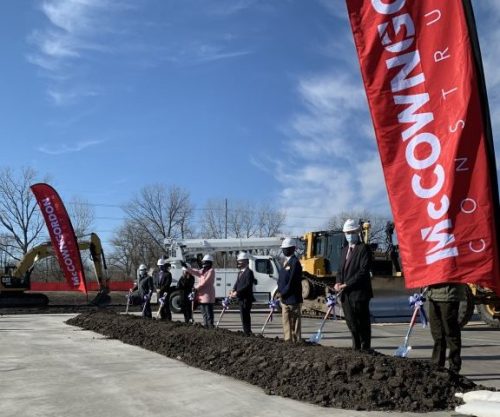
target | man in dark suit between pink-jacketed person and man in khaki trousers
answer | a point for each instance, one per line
(243, 291)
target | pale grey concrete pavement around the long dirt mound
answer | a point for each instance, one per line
(51, 369)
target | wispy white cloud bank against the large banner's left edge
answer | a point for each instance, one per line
(332, 164)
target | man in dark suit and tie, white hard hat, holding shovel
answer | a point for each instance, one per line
(354, 283)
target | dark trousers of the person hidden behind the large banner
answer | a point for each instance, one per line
(445, 330)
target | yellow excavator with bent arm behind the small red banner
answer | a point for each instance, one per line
(16, 280)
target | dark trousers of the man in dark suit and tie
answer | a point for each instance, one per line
(357, 317)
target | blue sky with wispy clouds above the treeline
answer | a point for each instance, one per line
(239, 99)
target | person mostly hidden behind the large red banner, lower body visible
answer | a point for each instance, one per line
(444, 301)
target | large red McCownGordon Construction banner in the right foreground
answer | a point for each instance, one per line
(422, 73)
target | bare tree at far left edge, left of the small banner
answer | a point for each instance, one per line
(20, 219)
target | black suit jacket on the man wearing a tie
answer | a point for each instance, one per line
(356, 273)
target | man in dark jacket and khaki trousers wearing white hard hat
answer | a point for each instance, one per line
(290, 289)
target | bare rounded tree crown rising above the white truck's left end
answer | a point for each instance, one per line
(161, 212)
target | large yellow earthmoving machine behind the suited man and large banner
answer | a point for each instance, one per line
(320, 262)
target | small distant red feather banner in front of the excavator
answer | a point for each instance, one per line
(62, 235)
